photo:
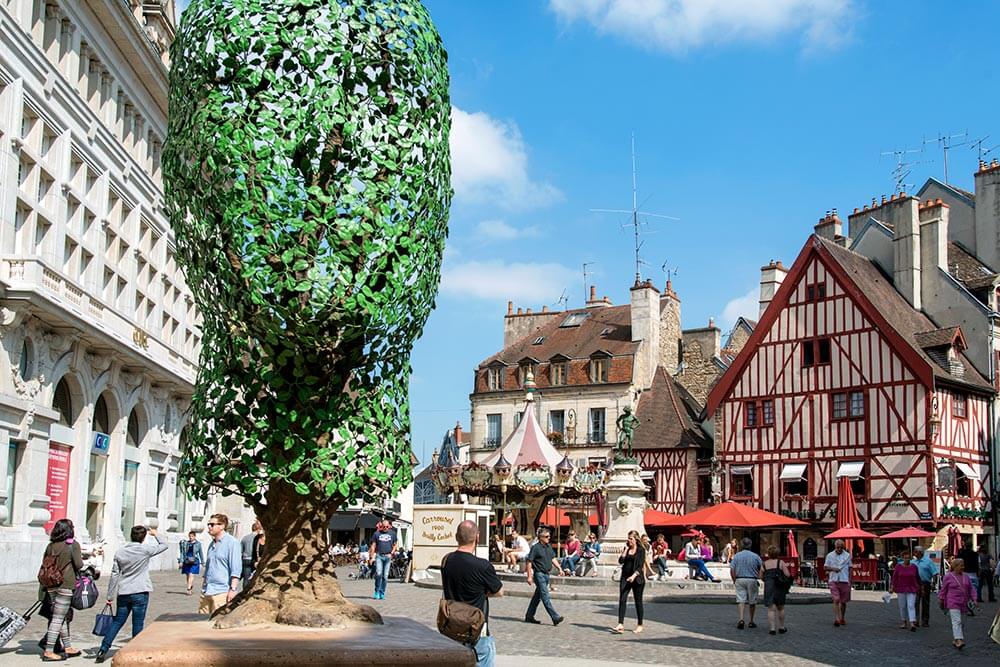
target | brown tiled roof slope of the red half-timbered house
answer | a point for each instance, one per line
(907, 321)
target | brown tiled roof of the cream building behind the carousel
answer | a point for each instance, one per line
(576, 342)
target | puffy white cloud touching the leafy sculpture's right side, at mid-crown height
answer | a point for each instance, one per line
(489, 163)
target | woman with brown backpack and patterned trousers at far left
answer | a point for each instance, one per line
(61, 563)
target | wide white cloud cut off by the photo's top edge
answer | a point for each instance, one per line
(677, 26)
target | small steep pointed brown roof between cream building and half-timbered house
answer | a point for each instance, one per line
(667, 416)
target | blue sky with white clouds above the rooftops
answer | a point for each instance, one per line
(751, 119)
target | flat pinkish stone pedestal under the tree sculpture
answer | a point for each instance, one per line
(183, 640)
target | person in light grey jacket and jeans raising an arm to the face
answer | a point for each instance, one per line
(130, 585)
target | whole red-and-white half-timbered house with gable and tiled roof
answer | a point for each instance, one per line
(843, 377)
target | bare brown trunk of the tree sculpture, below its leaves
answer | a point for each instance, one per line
(295, 582)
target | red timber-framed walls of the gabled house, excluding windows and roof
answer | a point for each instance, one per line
(887, 433)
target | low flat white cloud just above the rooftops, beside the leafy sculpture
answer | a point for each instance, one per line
(522, 282)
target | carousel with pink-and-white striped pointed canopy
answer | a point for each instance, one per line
(525, 476)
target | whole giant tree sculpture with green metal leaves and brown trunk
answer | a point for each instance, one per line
(307, 180)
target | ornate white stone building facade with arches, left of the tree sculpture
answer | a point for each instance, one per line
(99, 333)
